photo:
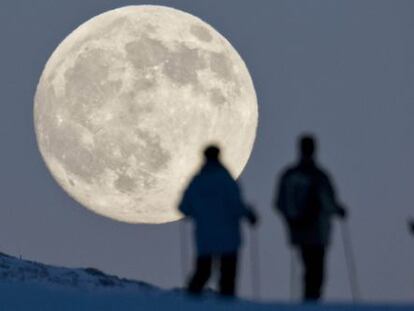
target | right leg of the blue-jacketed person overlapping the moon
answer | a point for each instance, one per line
(228, 271)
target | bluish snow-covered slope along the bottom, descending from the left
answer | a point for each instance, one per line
(26, 285)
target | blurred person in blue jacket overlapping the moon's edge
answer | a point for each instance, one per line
(213, 201)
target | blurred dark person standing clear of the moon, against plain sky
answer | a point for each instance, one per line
(306, 199)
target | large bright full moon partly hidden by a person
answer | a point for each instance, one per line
(128, 101)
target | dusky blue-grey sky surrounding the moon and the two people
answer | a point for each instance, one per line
(341, 69)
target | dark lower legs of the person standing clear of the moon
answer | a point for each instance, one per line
(313, 261)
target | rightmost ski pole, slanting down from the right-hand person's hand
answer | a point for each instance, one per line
(350, 262)
